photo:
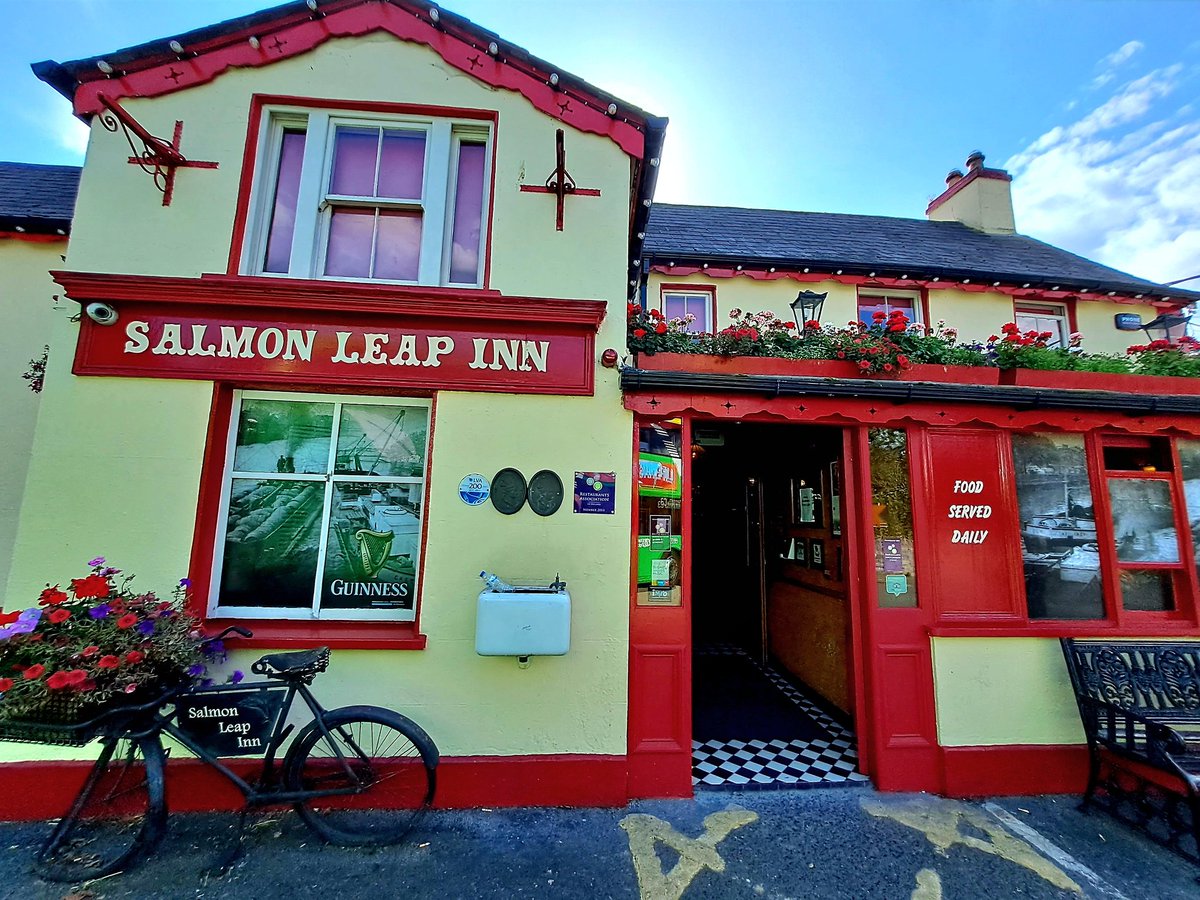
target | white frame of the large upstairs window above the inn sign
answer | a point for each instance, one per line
(315, 205)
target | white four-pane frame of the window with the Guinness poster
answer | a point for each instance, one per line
(329, 478)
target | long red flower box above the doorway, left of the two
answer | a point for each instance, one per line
(706, 364)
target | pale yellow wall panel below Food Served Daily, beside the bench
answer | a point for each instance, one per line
(1004, 691)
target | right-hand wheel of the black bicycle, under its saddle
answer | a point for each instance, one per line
(380, 767)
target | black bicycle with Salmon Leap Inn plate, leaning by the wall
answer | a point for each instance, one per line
(343, 764)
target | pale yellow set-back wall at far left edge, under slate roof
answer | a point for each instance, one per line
(27, 302)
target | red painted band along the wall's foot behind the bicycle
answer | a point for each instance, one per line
(464, 783)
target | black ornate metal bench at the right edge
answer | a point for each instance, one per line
(1141, 704)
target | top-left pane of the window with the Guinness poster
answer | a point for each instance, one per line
(279, 436)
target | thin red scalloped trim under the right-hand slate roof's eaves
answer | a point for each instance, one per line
(1031, 293)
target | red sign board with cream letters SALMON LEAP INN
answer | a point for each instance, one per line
(338, 349)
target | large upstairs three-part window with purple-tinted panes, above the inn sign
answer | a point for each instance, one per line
(400, 200)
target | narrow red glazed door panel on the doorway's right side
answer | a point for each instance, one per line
(899, 722)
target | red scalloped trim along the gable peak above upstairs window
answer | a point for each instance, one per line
(301, 33)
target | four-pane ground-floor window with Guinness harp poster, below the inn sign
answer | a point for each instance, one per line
(322, 508)
